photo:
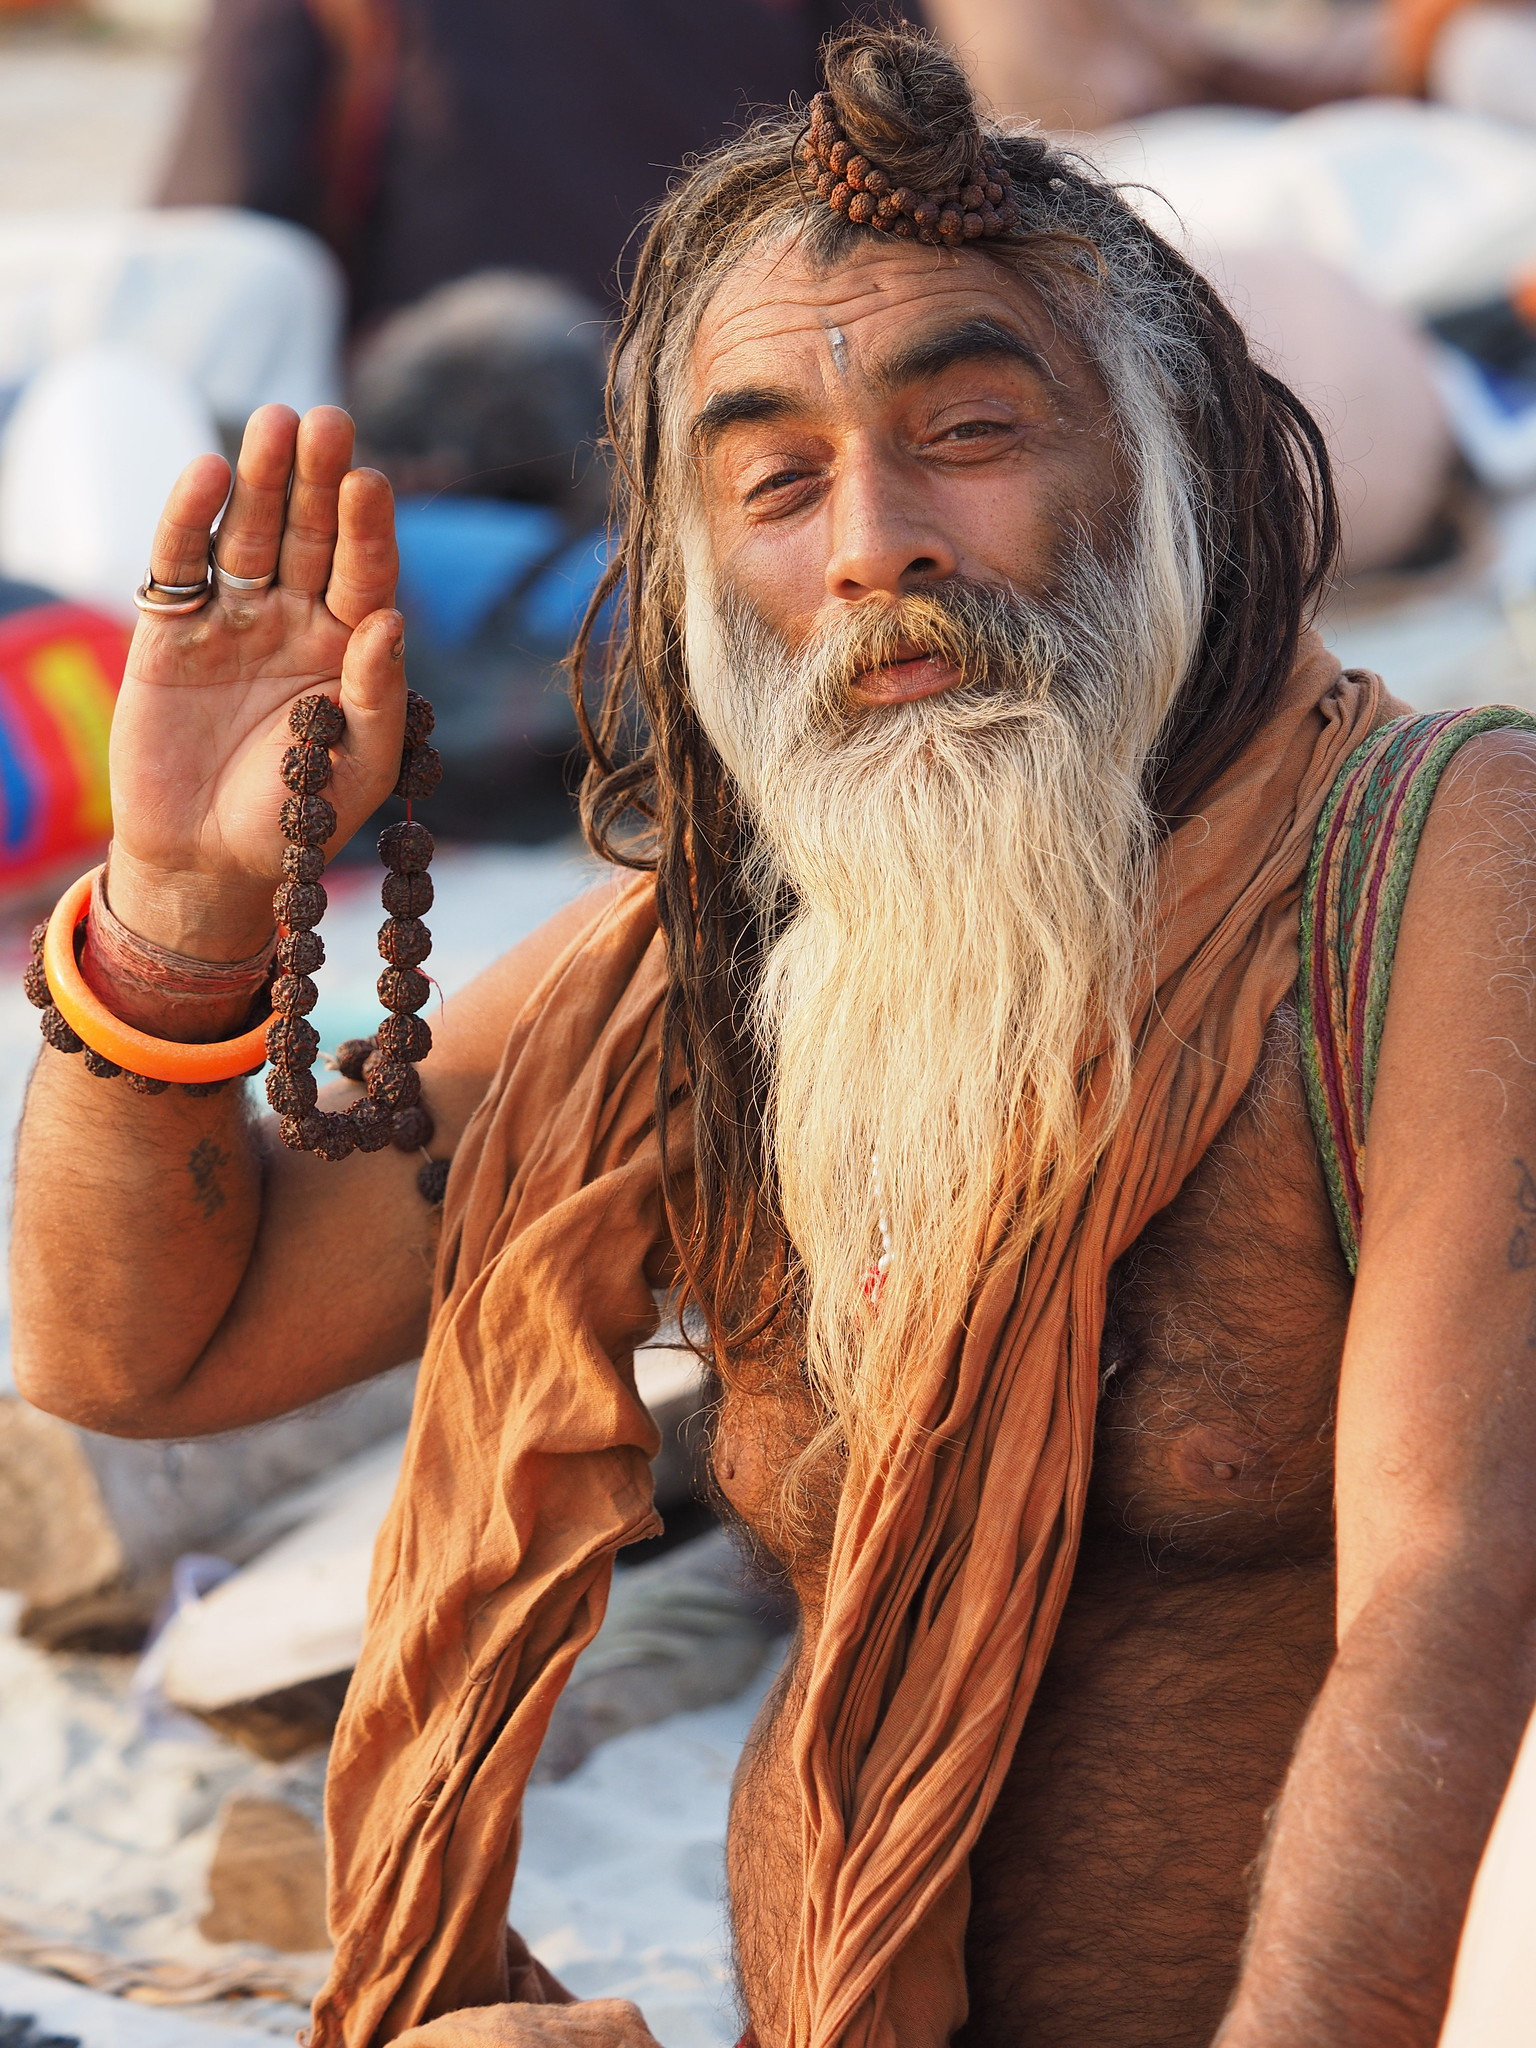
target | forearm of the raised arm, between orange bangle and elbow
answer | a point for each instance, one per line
(134, 1224)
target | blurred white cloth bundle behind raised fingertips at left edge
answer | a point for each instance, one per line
(132, 343)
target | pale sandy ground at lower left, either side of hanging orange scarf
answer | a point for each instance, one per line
(108, 1822)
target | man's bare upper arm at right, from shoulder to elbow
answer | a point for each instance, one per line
(1439, 1392)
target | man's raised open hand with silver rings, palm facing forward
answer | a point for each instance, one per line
(204, 714)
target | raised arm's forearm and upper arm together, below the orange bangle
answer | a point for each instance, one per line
(179, 1273)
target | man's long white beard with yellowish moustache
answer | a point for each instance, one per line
(970, 888)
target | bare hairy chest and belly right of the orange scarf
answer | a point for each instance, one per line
(1111, 1879)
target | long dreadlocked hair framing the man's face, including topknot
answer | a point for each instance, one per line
(1261, 548)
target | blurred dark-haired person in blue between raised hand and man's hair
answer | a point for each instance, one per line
(484, 409)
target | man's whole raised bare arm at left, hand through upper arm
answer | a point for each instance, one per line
(177, 1269)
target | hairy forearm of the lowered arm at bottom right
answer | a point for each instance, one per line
(1383, 1820)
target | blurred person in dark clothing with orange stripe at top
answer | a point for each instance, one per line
(433, 138)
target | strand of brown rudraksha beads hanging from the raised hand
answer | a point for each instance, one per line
(390, 1113)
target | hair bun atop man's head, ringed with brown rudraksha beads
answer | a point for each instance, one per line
(896, 142)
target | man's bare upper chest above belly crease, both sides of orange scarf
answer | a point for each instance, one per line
(1220, 1369)
